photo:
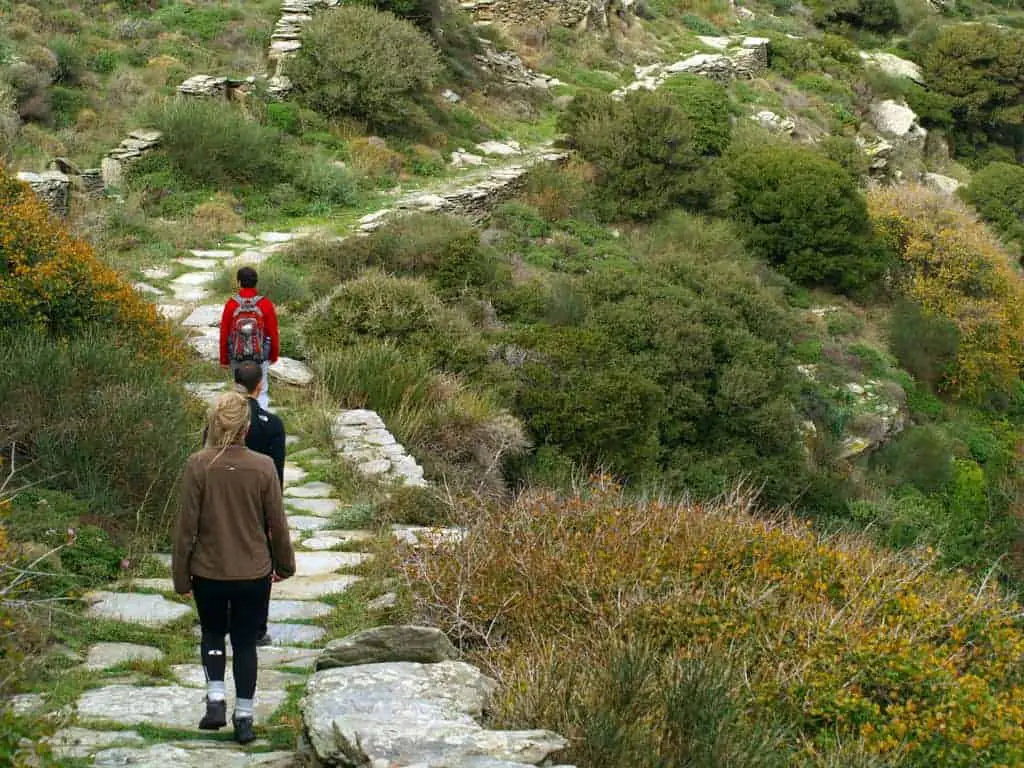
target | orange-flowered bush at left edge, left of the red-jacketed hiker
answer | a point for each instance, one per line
(54, 282)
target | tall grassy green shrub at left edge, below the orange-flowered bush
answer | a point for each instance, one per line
(108, 426)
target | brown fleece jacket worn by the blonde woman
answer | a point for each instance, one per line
(232, 524)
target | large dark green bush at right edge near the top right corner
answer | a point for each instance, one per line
(975, 71)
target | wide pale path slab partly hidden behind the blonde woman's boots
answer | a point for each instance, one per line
(164, 706)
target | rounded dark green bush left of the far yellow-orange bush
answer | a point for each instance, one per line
(805, 216)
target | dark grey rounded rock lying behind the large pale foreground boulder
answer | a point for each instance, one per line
(391, 644)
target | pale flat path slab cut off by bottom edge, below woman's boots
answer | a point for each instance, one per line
(174, 756)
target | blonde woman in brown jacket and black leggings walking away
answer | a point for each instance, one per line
(231, 541)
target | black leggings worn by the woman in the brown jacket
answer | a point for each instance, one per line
(238, 609)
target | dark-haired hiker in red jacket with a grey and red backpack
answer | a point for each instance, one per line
(249, 330)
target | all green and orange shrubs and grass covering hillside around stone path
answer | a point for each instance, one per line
(729, 400)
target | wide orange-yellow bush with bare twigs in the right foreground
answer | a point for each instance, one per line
(841, 641)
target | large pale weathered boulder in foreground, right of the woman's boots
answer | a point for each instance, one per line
(415, 715)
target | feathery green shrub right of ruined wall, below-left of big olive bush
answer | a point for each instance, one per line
(215, 144)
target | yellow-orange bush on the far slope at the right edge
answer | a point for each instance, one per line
(956, 270)
